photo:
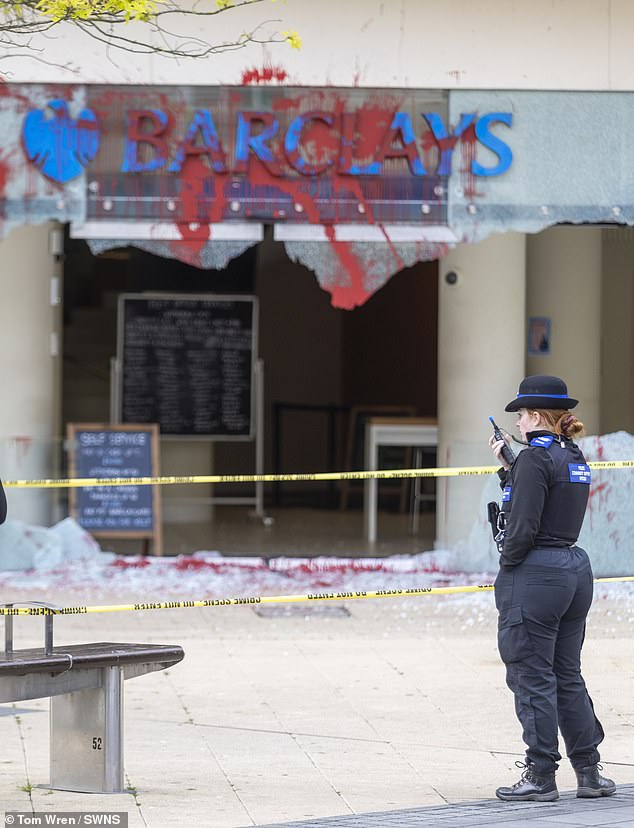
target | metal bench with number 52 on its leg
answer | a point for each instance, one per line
(85, 685)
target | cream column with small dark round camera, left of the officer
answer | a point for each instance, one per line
(481, 347)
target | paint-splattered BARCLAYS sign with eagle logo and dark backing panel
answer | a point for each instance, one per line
(324, 156)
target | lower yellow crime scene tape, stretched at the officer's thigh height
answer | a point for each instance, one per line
(265, 599)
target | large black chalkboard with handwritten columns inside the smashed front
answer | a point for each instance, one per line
(186, 362)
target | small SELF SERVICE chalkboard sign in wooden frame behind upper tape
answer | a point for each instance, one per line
(102, 451)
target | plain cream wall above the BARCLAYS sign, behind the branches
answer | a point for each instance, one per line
(510, 44)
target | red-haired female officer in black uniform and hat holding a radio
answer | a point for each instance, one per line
(543, 593)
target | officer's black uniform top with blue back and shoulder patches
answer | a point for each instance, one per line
(545, 495)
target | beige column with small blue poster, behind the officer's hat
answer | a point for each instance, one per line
(564, 266)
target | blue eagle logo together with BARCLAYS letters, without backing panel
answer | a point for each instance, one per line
(312, 144)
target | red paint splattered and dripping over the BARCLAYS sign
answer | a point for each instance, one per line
(204, 195)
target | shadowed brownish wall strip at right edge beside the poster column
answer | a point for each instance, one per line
(617, 328)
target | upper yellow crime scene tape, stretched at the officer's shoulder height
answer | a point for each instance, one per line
(384, 474)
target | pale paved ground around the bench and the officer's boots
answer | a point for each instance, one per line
(391, 712)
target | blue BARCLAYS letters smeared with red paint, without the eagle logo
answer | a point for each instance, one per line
(255, 132)
